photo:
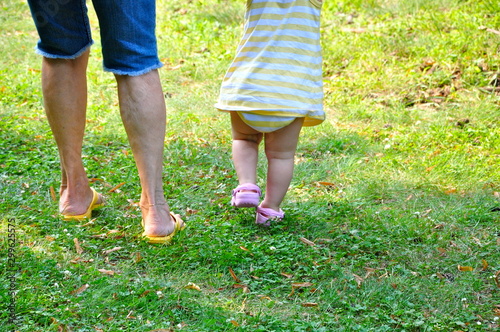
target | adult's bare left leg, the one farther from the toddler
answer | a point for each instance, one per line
(64, 87)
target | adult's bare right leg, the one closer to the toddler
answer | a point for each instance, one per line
(143, 112)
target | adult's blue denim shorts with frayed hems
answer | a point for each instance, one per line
(127, 29)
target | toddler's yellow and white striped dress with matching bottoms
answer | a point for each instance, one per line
(276, 75)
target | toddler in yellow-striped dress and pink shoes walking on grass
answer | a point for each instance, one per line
(273, 87)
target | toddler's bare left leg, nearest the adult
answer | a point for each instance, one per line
(246, 142)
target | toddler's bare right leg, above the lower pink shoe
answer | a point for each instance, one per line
(280, 147)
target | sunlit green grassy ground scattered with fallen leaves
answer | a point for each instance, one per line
(392, 217)
